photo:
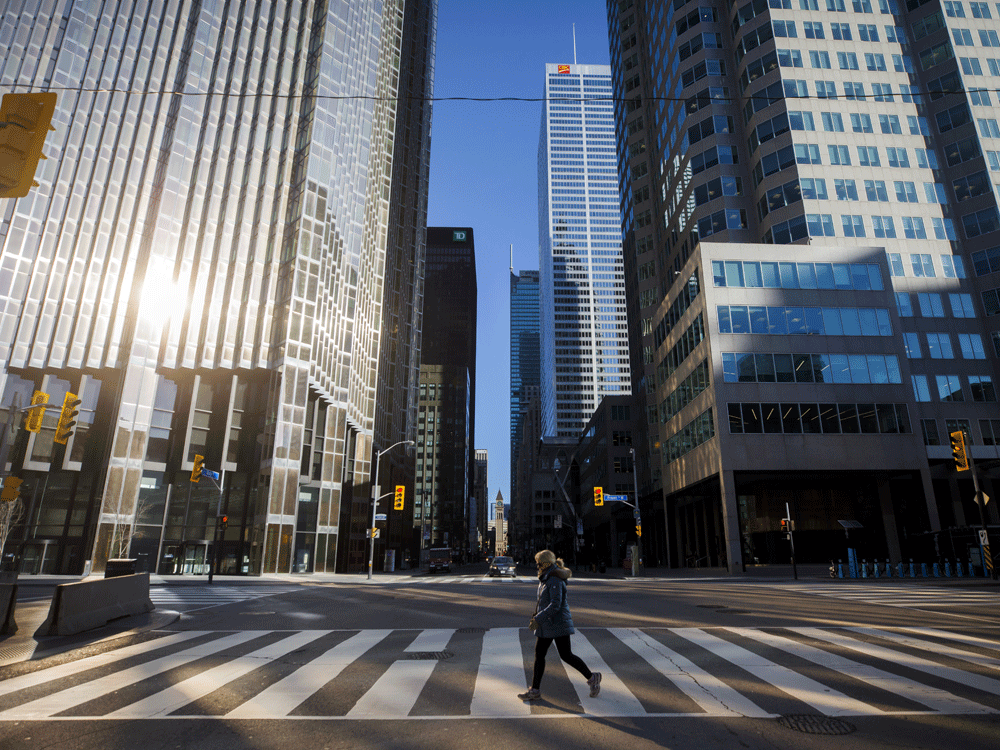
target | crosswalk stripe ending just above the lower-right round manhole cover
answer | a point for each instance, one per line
(827, 700)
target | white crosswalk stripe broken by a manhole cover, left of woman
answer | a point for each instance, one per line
(396, 691)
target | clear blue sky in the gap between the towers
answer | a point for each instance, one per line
(484, 163)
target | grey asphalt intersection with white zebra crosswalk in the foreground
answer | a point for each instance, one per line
(436, 663)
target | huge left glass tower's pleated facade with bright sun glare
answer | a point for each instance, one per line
(203, 264)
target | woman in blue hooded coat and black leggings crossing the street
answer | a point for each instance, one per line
(554, 623)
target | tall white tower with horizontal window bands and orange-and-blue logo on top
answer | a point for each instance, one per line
(582, 293)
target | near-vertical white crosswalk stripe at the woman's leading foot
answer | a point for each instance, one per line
(501, 675)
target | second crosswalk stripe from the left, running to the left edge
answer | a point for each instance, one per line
(66, 699)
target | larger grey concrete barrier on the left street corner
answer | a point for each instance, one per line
(91, 603)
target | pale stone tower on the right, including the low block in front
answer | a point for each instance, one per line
(809, 222)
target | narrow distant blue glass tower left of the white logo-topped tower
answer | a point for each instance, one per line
(525, 362)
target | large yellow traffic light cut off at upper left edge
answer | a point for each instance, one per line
(25, 121)
